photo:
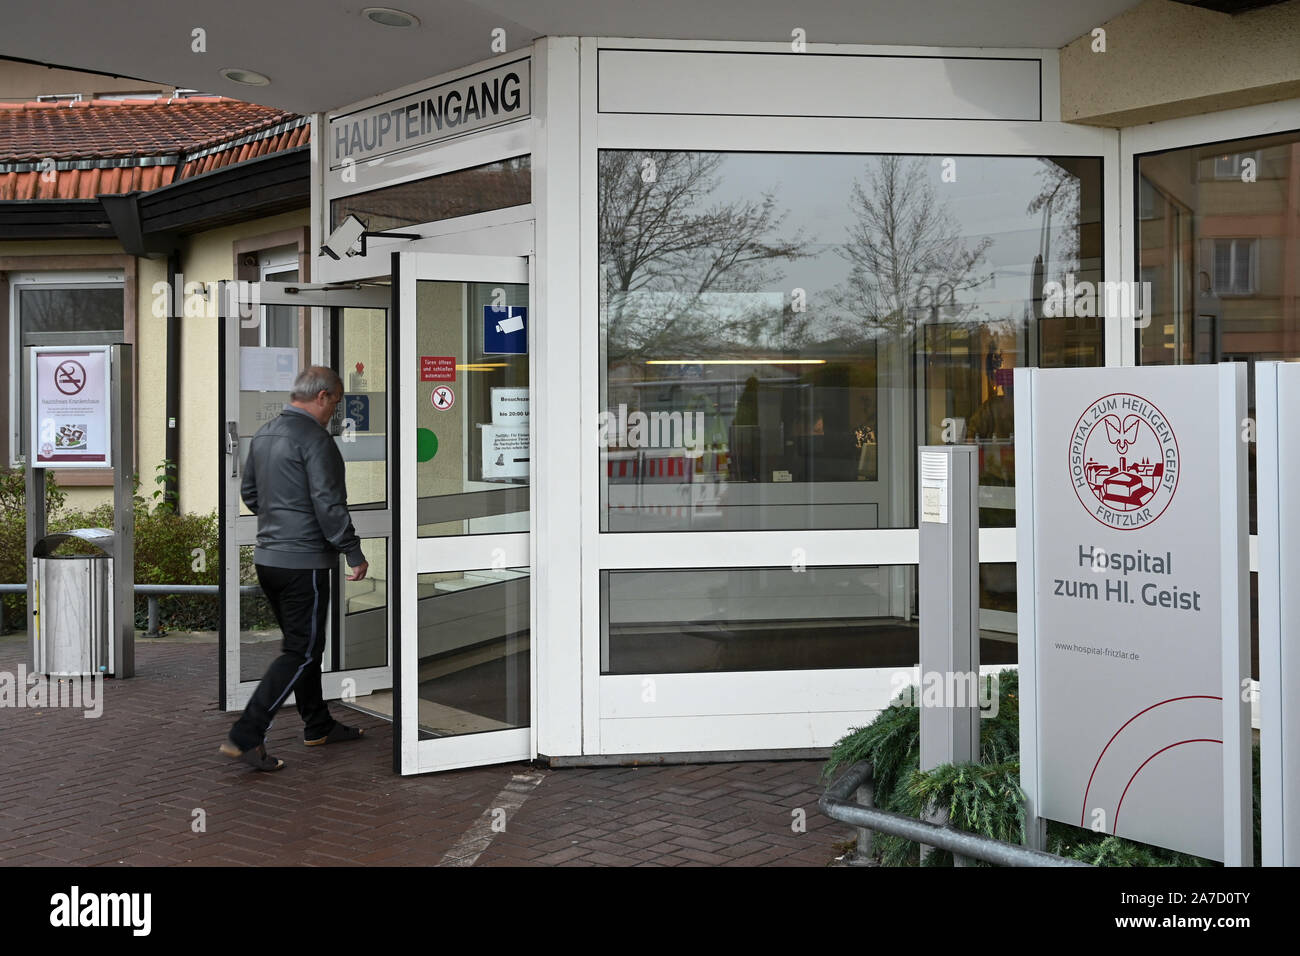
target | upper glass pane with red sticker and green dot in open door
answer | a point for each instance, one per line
(471, 430)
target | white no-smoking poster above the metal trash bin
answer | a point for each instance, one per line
(72, 409)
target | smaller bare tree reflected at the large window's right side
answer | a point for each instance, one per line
(905, 253)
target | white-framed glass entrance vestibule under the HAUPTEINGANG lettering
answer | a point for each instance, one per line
(638, 373)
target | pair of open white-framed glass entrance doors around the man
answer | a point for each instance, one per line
(436, 465)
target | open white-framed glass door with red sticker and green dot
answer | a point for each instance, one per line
(462, 457)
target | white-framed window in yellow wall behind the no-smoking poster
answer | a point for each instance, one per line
(57, 309)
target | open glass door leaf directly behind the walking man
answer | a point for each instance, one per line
(263, 348)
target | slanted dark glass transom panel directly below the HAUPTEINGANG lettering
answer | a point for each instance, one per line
(482, 189)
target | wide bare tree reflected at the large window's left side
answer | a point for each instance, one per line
(666, 250)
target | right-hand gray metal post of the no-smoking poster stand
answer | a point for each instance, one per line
(122, 365)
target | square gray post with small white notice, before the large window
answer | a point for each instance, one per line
(948, 586)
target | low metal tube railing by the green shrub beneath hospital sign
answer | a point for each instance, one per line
(839, 803)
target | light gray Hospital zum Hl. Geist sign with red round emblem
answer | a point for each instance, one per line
(1134, 642)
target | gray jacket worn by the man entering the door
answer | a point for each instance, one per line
(294, 485)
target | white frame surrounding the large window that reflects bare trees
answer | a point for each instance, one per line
(735, 712)
